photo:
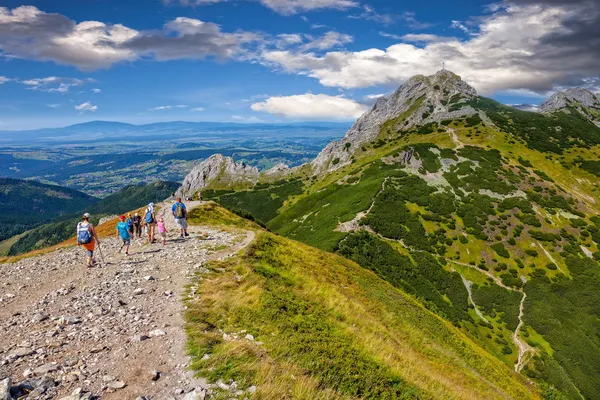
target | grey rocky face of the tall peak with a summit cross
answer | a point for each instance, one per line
(419, 101)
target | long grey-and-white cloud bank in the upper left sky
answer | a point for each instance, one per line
(27, 32)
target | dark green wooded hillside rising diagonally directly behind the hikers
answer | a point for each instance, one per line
(129, 198)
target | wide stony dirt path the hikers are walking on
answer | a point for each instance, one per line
(106, 330)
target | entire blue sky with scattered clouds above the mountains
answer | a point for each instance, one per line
(142, 61)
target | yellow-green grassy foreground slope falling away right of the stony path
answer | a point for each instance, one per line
(329, 329)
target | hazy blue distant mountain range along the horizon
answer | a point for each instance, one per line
(119, 131)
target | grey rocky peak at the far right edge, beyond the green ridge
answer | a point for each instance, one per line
(582, 100)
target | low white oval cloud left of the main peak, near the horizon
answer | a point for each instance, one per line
(311, 107)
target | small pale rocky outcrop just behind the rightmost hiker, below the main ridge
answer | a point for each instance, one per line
(218, 170)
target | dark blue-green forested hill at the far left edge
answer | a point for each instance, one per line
(26, 204)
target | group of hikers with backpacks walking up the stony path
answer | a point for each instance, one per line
(130, 226)
